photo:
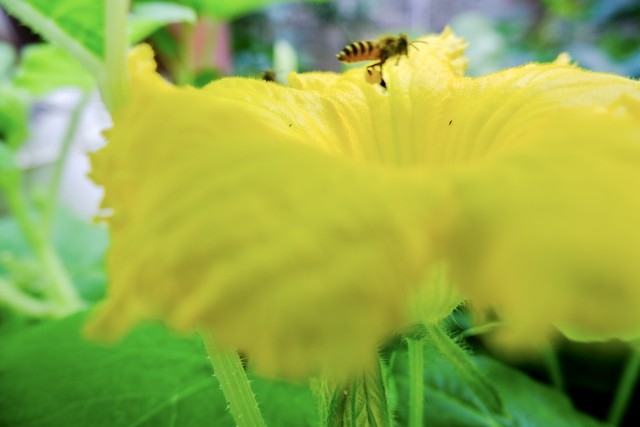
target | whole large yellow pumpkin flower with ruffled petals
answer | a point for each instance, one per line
(305, 224)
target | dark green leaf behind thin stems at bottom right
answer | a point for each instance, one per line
(448, 399)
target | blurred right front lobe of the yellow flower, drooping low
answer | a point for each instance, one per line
(546, 231)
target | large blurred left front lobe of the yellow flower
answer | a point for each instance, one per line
(227, 218)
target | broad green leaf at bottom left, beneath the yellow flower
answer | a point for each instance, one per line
(52, 377)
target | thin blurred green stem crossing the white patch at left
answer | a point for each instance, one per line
(54, 186)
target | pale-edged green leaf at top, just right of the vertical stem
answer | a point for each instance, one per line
(146, 18)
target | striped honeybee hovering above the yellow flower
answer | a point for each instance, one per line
(381, 50)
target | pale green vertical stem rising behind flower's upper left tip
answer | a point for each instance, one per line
(114, 85)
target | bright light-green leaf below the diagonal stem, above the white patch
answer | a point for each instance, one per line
(45, 67)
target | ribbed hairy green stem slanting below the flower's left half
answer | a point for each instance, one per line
(234, 383)
